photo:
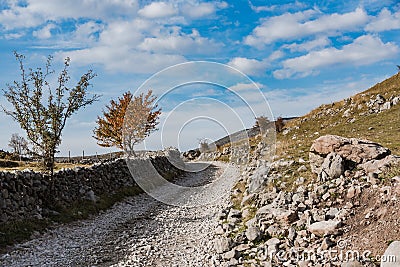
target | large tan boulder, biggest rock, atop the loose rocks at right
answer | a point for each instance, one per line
(331, 155)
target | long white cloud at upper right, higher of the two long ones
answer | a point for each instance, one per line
(295, 25)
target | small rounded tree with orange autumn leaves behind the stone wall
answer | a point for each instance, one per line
(127, 121)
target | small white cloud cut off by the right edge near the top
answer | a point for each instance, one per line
(385, 21)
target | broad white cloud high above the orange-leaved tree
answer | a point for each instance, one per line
(140, 46)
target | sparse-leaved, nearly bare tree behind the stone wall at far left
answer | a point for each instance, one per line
(42, 111)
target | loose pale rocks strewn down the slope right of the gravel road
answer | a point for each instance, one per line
(304, 227)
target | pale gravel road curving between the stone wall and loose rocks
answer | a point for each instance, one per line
(137, 232)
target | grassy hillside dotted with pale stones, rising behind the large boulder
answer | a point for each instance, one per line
(383, 127)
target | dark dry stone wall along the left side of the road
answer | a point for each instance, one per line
(29, 194)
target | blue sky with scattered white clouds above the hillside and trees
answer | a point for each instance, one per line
(299, 53)
